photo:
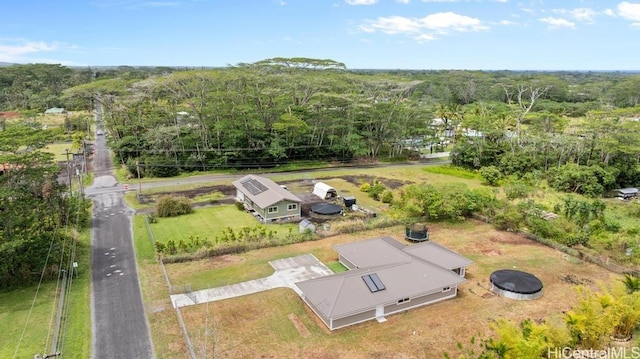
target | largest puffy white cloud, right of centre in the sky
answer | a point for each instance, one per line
(423, 29)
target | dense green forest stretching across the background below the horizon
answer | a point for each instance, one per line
(567, 126)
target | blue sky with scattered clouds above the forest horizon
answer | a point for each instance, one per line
(371, 34)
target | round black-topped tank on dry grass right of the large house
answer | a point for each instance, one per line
(516, 284)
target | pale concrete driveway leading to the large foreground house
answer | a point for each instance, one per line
(288, 271)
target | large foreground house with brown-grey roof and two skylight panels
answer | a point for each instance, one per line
(384, 277)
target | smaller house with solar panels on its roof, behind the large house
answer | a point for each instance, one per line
(266, 199)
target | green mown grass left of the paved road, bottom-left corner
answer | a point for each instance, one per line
(29, 322)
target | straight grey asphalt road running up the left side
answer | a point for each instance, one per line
(119, 322)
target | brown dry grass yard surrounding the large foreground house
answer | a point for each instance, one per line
(259, 325)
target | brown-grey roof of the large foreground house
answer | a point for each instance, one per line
(404, 275)
